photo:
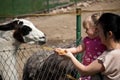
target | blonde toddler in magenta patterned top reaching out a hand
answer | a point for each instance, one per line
(91, 44)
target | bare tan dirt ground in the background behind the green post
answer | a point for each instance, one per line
(61, 28)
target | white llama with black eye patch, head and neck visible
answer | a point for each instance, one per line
(13, 34)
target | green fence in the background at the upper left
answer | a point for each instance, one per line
(19, 7)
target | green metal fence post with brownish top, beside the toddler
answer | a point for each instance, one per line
(78, 34)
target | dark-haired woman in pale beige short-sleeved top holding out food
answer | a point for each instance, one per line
(108, 62)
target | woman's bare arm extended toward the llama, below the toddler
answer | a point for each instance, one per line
(95, 67)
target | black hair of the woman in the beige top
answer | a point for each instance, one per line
(110, 22)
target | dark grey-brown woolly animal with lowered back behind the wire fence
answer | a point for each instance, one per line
(53, 67)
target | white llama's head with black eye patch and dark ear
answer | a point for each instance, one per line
(24, 31)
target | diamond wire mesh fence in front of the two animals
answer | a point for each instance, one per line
(34, 63)
